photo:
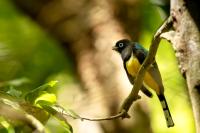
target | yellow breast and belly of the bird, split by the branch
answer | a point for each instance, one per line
(133, 66)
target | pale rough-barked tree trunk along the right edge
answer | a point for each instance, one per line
(185, 38)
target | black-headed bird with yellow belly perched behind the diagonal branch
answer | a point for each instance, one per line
(133, 55)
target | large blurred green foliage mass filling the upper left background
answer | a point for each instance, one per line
(26, 51)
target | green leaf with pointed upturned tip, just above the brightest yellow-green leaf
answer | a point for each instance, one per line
(32, 95)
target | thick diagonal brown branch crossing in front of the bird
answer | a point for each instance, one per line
(148, 61)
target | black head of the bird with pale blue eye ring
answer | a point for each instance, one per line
(121, 45)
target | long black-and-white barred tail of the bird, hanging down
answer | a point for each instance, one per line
(166, 111)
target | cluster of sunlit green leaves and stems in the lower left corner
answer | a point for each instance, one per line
(39, 103)
